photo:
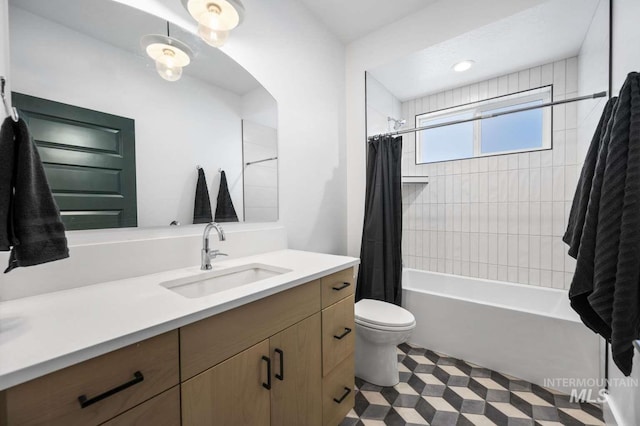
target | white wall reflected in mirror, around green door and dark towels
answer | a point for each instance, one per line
(178, 125)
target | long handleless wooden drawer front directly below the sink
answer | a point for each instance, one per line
(208, 342)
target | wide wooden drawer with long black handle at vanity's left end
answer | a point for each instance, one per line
(53, 399)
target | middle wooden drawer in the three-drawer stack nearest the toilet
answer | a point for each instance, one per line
(338, 333)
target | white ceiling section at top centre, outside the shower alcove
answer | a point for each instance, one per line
(352, 19)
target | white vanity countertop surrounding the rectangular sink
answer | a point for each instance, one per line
(45, 333)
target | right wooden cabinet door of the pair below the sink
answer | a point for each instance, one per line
(296, 395)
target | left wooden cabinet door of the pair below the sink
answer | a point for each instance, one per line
(231, 393)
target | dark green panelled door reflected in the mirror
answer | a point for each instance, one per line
(89, 160)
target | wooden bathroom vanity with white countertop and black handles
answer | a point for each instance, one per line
(276, 351)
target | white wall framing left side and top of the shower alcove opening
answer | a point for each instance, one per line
(437, 22)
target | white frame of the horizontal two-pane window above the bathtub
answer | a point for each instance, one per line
(543, 94)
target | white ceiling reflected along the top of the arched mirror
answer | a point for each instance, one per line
(122, 26)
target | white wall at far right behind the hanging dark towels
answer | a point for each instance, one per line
(624, 402)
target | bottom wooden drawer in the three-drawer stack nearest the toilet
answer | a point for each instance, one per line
(338, 396)
